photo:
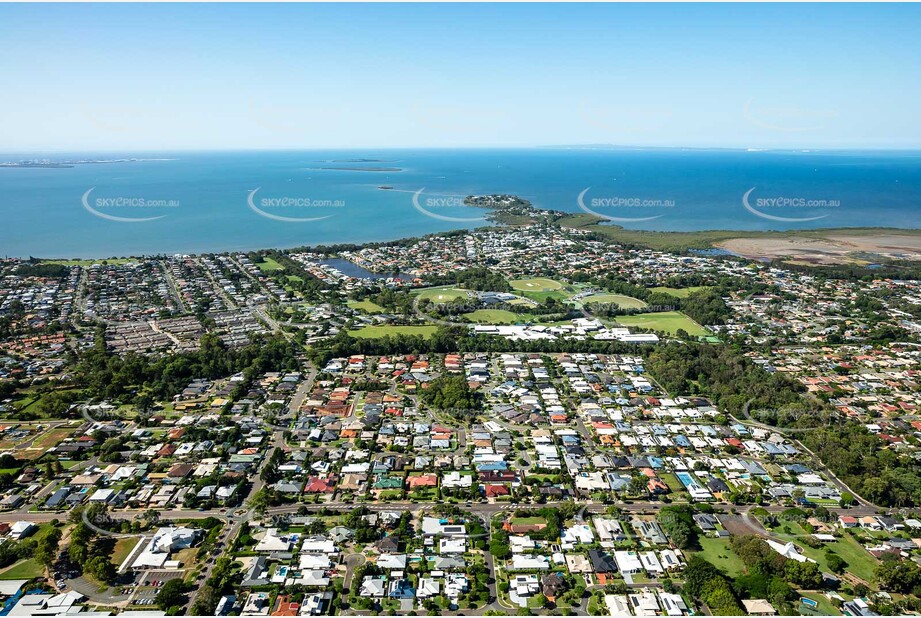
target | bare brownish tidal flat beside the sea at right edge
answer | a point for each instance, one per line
(832, 249)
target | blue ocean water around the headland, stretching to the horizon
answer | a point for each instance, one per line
(201, 202)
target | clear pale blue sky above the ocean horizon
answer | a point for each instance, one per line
(180, 76)
